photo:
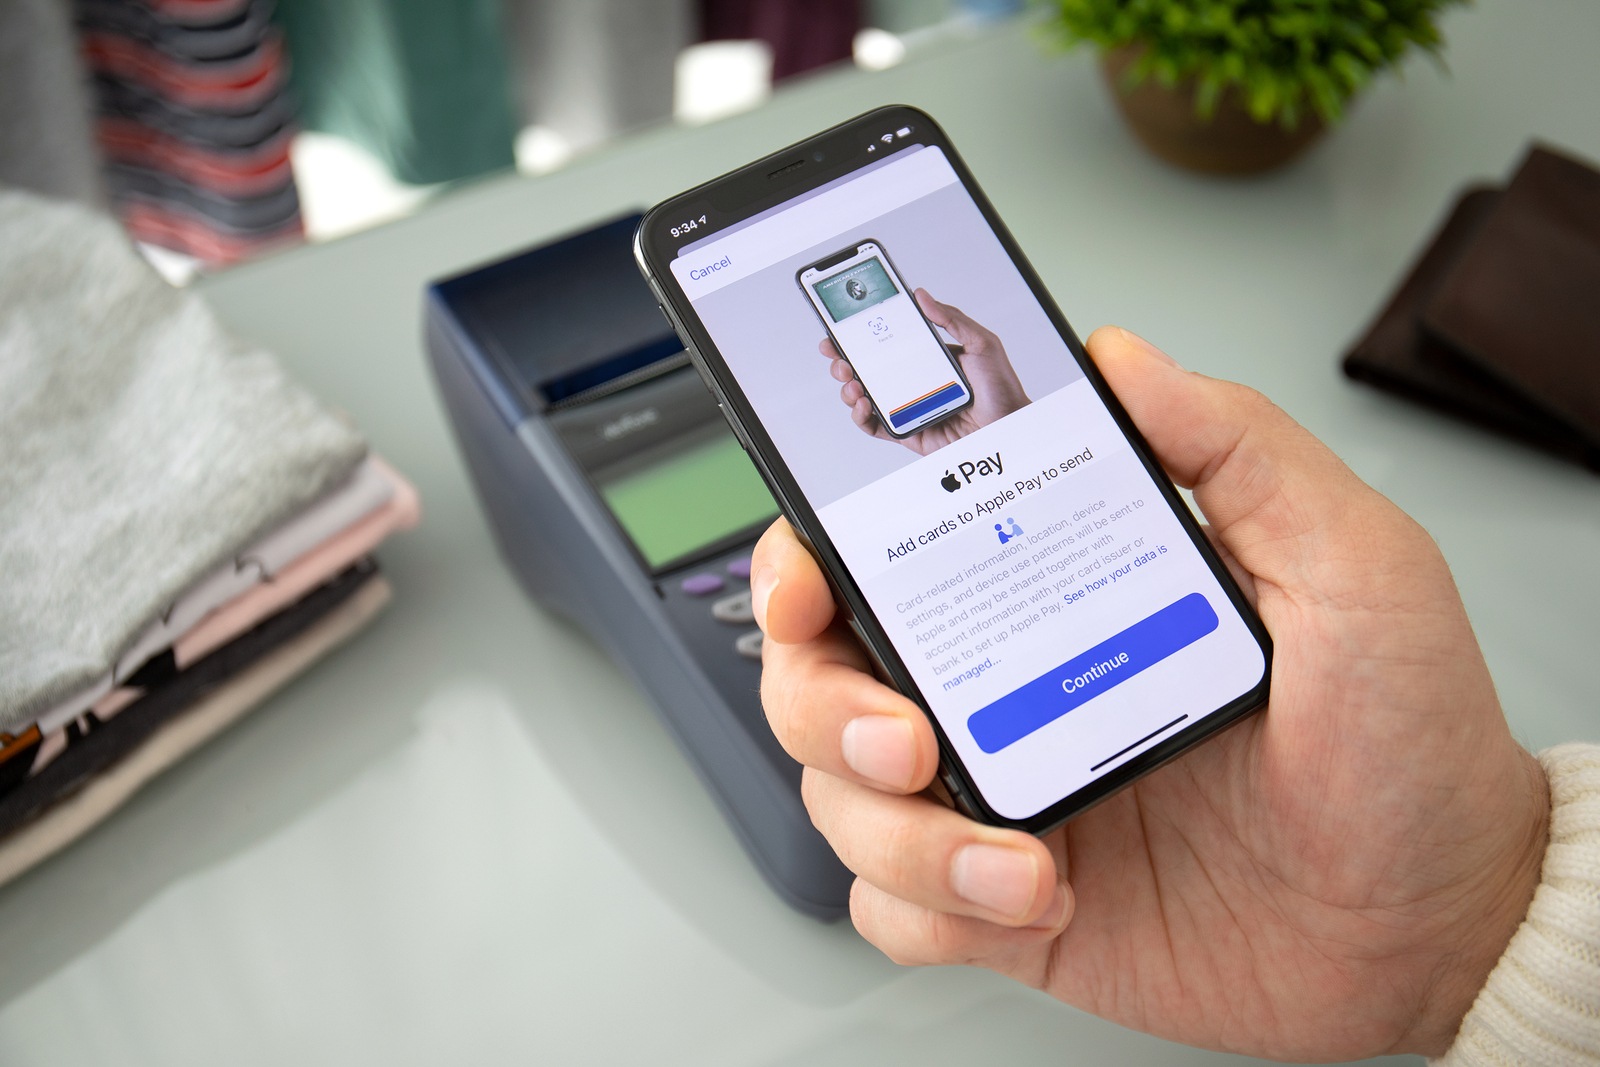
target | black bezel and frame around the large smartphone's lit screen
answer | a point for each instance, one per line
(748, 191)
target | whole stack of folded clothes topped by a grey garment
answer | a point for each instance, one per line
(183, 529)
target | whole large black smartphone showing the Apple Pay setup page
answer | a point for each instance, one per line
(1020, 567)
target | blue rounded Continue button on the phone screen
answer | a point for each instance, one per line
(1079, 681)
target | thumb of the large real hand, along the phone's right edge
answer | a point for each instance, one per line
(1276, 497)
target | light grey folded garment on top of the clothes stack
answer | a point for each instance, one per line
(140, 449)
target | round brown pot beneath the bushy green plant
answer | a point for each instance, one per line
(1230, 143)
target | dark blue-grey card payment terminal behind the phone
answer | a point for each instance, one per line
(622, 500)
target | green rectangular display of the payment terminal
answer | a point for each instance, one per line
(687, 500)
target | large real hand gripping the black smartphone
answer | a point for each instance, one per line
(1330, 879)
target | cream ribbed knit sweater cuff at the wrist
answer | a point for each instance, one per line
(1542, 1004)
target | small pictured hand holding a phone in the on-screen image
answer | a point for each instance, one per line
(998, 391)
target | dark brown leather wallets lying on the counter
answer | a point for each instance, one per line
(1497, 322)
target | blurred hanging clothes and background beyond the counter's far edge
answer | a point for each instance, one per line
(220, 130)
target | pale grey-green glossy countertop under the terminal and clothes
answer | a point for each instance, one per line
(466, 839)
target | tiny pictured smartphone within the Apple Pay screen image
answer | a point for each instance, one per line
(876, 326)
